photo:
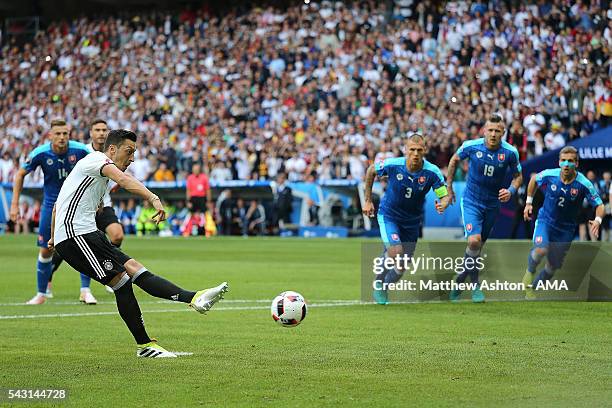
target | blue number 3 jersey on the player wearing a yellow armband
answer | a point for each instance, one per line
(403, 200)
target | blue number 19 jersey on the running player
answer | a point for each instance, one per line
(487, 170)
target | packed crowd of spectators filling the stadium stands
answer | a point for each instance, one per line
(318, 90)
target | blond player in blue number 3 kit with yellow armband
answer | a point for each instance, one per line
(401, 209)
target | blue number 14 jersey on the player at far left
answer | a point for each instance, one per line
(55, 167)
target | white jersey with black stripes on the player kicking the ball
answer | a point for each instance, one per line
(80, 197)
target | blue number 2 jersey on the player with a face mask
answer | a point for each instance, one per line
(562, 202)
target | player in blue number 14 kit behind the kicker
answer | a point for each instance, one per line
(56, 158)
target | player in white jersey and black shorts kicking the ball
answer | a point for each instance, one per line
(79, 242)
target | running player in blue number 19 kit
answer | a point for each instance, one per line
(489, 160)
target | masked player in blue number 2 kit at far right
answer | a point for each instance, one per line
(564, 191)
